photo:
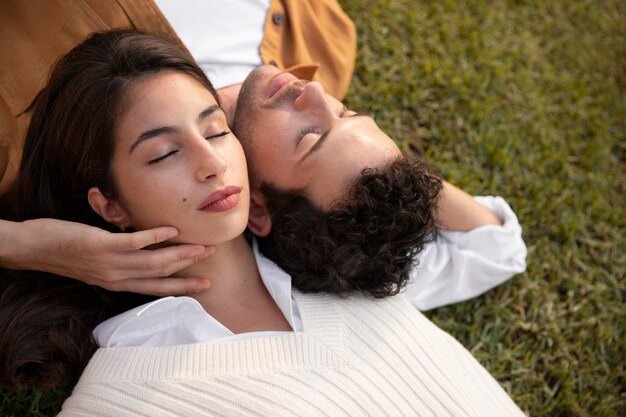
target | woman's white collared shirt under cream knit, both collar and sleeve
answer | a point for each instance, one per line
(456, 267)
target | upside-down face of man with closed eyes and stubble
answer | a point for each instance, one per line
(297, 137)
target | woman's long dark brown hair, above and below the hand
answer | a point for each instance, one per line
(45, 321)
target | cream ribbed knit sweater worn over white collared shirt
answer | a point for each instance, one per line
(355, 357)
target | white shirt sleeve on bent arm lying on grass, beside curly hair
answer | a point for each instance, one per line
(462, 265)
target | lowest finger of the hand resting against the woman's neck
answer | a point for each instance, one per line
(162, 287)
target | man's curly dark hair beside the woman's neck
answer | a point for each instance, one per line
(367, 243)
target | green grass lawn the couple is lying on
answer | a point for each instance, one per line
(524, 99)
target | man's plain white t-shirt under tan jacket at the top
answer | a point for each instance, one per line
(222, 36)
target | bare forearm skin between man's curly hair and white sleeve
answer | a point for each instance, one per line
(457, 210)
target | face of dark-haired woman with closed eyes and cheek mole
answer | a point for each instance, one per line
(176, 163)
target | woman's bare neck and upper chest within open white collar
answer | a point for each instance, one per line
(238, 297)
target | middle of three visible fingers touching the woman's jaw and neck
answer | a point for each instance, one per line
(164, 261)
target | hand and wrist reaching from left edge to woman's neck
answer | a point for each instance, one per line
(115, 261)
